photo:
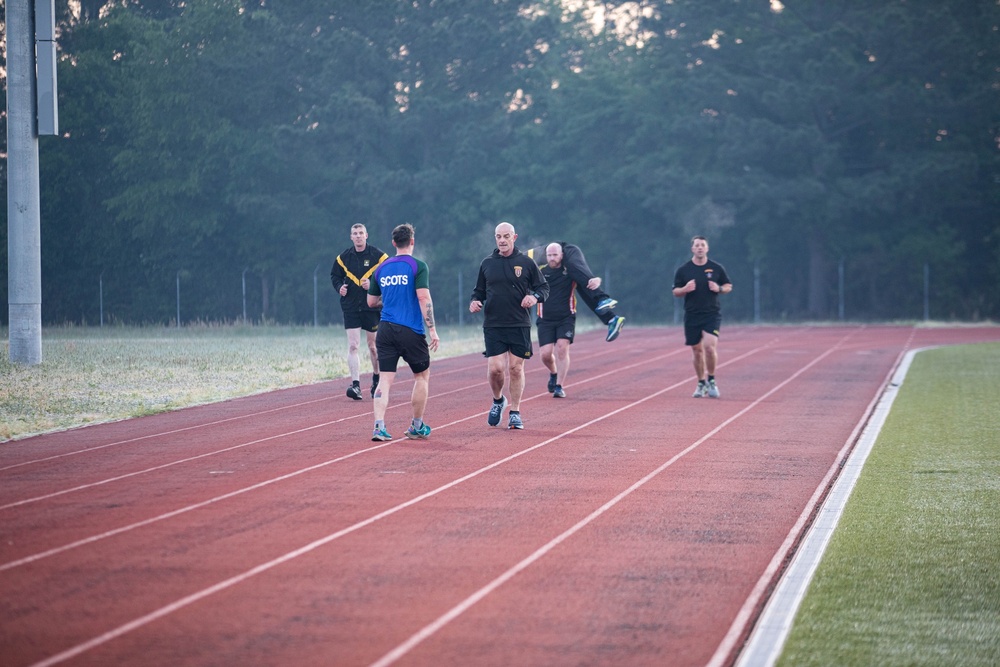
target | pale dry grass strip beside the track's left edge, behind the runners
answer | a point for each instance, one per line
(90, 375)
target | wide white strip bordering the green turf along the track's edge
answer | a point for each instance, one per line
(767, 640)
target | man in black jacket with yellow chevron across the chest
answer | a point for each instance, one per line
(351, 275)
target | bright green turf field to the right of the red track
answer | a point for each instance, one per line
(912, 574)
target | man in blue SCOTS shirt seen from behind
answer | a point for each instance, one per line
(400, 287)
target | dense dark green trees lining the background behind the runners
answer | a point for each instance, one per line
(835, 154)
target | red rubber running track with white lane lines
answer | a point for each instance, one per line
(628, 524)
